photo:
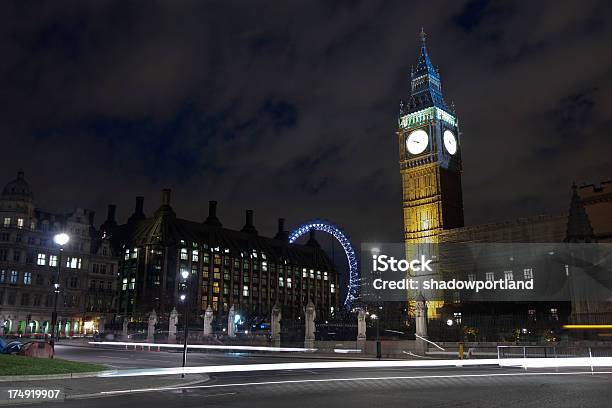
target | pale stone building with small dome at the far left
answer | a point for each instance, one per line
(29, 263)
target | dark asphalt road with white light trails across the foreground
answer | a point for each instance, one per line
(356, 387)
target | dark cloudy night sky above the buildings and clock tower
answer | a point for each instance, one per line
(290, 108)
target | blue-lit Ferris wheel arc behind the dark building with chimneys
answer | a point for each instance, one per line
(342, 238)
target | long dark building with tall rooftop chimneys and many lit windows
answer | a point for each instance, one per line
(226, 267)
